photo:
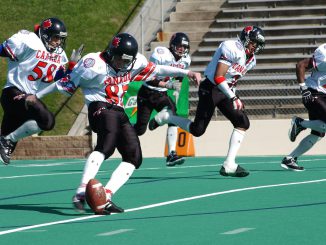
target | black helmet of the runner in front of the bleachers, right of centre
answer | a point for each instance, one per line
(253, 34)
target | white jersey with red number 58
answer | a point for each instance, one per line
(30, 66)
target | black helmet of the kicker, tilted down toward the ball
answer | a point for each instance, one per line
(123, 47)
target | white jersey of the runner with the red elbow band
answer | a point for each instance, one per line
(231, 53)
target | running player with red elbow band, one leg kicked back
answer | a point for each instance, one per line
(232, 60)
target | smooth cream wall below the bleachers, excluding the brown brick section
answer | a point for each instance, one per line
(265, 137)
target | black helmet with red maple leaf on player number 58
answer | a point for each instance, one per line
(52, 27)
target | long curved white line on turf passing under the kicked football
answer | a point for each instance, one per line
(162, 204)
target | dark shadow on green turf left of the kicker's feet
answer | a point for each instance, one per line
(62, 211)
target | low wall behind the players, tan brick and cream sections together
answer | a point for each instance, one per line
(265, 137)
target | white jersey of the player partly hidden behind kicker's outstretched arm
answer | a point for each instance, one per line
(163, 56)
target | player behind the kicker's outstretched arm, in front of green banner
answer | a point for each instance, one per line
(153, 94)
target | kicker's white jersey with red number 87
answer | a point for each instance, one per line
(100, 82)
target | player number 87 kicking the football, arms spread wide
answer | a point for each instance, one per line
(104, 78)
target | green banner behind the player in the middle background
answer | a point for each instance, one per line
(130, 100)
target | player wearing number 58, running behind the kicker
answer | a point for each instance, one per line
(35, 60)
